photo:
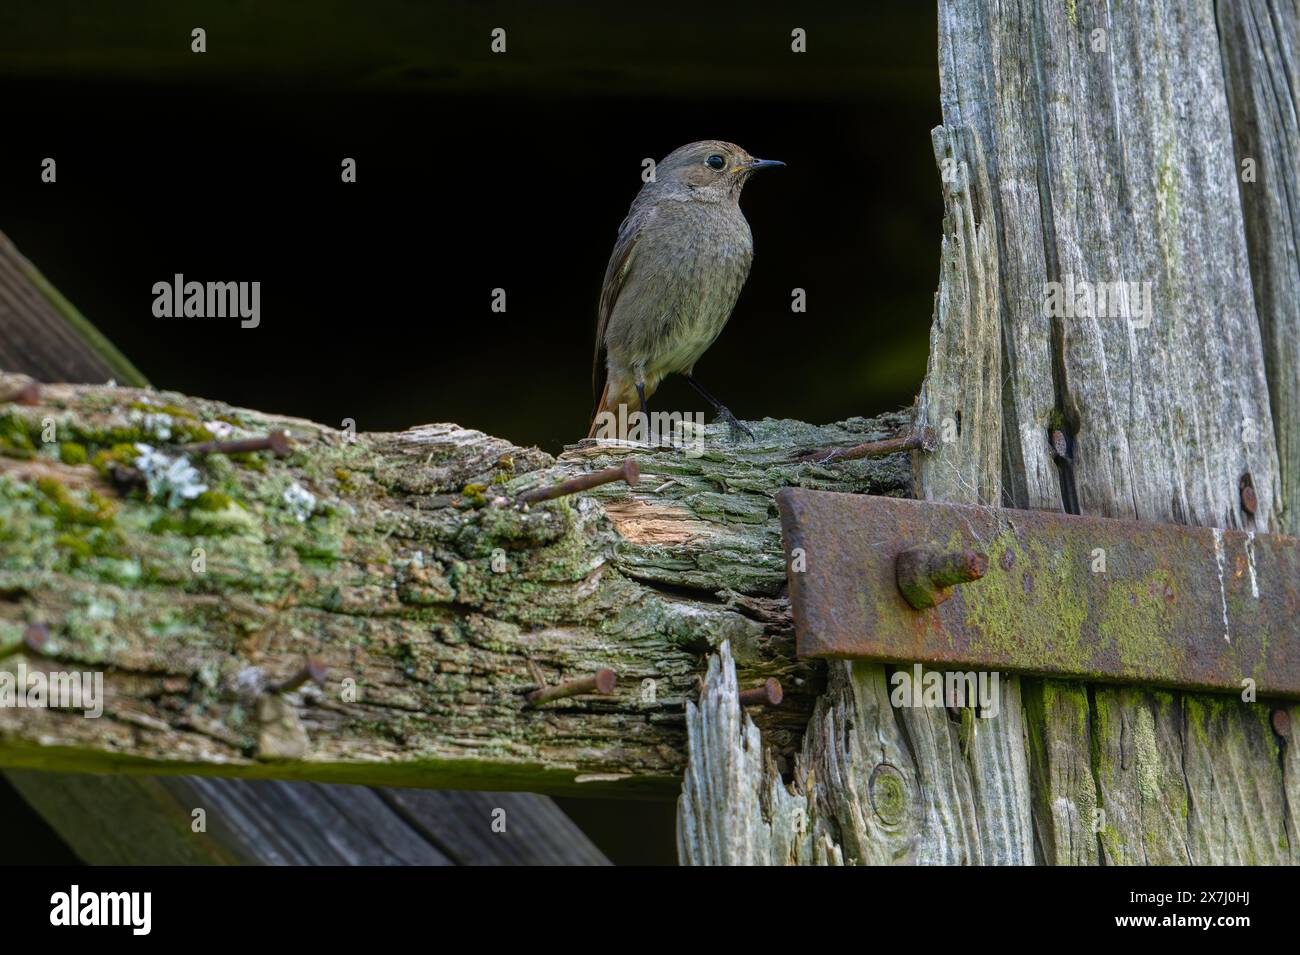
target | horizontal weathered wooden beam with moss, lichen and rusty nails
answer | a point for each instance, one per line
(401, 565)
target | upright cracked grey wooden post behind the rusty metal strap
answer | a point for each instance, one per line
(1082, 146)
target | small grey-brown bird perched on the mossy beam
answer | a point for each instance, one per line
(678, 268)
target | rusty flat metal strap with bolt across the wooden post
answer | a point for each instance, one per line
(1061, 596)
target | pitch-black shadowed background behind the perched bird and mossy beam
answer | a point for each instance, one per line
(476, 171)
